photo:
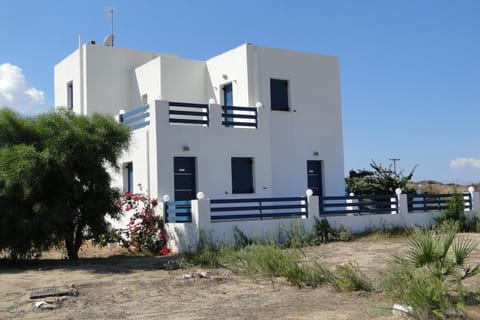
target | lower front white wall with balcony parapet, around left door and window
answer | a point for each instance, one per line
(213, 147)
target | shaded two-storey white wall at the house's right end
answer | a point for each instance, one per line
(313, 123)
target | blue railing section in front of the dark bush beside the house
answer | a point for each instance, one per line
(369, 204)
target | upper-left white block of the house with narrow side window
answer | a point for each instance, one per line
(109, 81)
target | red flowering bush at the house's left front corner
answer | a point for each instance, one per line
(146, 231)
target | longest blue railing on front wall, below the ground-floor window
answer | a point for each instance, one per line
(258, 208)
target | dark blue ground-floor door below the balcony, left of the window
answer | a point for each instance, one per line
(185, 187)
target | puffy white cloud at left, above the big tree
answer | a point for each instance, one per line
(17, 94)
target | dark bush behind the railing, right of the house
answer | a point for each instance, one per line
(379, 181)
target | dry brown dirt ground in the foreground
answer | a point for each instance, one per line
(113, 286)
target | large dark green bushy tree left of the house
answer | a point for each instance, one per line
(54, 183)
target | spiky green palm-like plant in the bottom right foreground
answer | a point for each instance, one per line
(428, 277)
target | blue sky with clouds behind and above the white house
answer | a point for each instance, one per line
(410, 70)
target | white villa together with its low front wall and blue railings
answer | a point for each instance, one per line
(234, 141)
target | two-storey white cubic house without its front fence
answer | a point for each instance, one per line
(250, 122)
